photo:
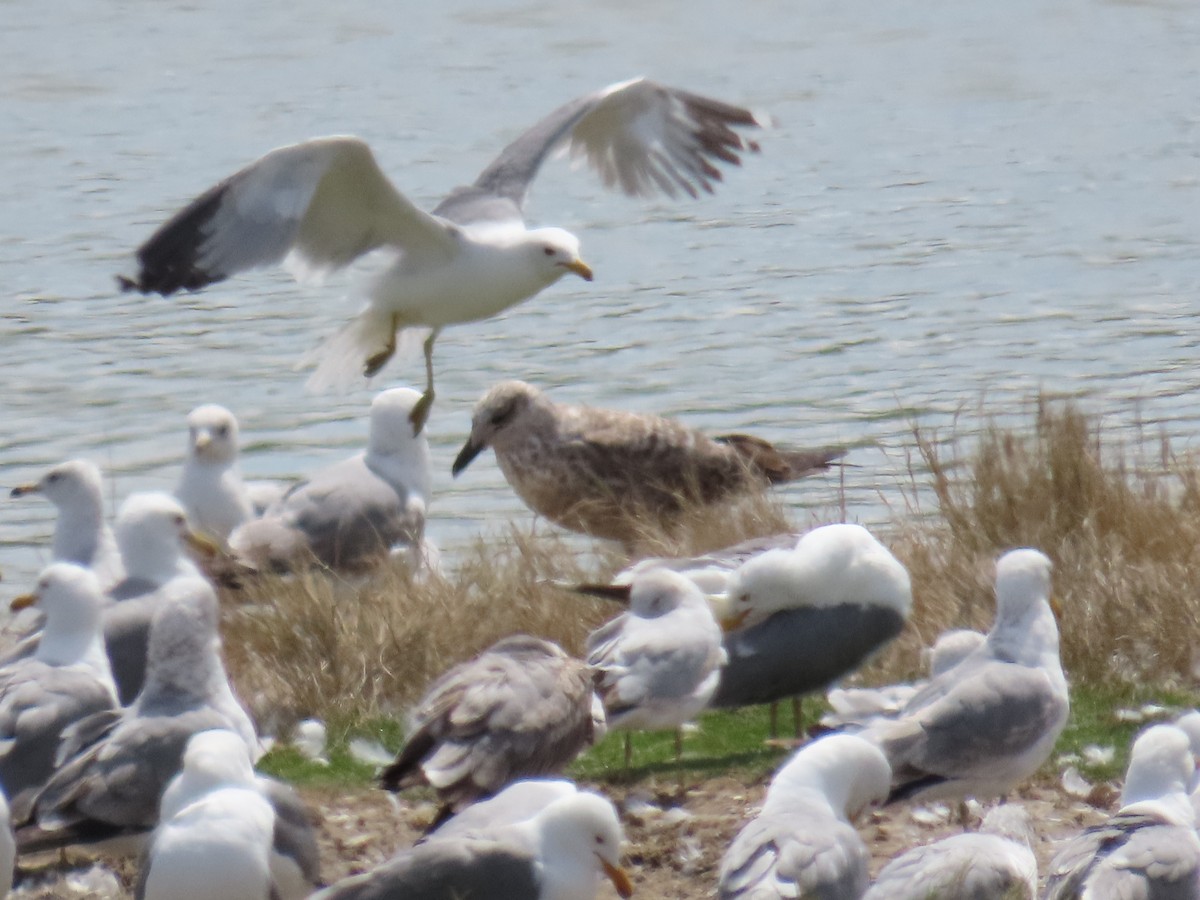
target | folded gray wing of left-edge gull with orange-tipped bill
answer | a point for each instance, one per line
(38, 703)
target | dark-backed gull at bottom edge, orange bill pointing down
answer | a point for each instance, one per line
(559, 855)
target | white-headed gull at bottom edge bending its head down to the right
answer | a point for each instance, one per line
(802, 844)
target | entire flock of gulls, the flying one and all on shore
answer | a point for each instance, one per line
(119, 729)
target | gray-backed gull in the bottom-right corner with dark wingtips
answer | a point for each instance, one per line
(1149, 849)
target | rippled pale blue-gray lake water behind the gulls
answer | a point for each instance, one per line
(962, 203)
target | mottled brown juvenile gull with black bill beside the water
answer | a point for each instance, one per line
(607, 472)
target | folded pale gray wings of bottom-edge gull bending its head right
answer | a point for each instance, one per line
(793, 856)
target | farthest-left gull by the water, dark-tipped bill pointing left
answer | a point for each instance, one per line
(81, 535)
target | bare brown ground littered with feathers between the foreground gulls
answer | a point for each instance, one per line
(674, 845)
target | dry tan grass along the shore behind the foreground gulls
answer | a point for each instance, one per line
(1120, 524)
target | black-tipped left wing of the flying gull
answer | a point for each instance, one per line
(325, 201)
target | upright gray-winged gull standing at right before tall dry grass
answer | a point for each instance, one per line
(989, 723)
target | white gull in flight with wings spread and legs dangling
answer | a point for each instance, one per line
(320, 206)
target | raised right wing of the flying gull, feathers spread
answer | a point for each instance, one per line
(641, 137)
